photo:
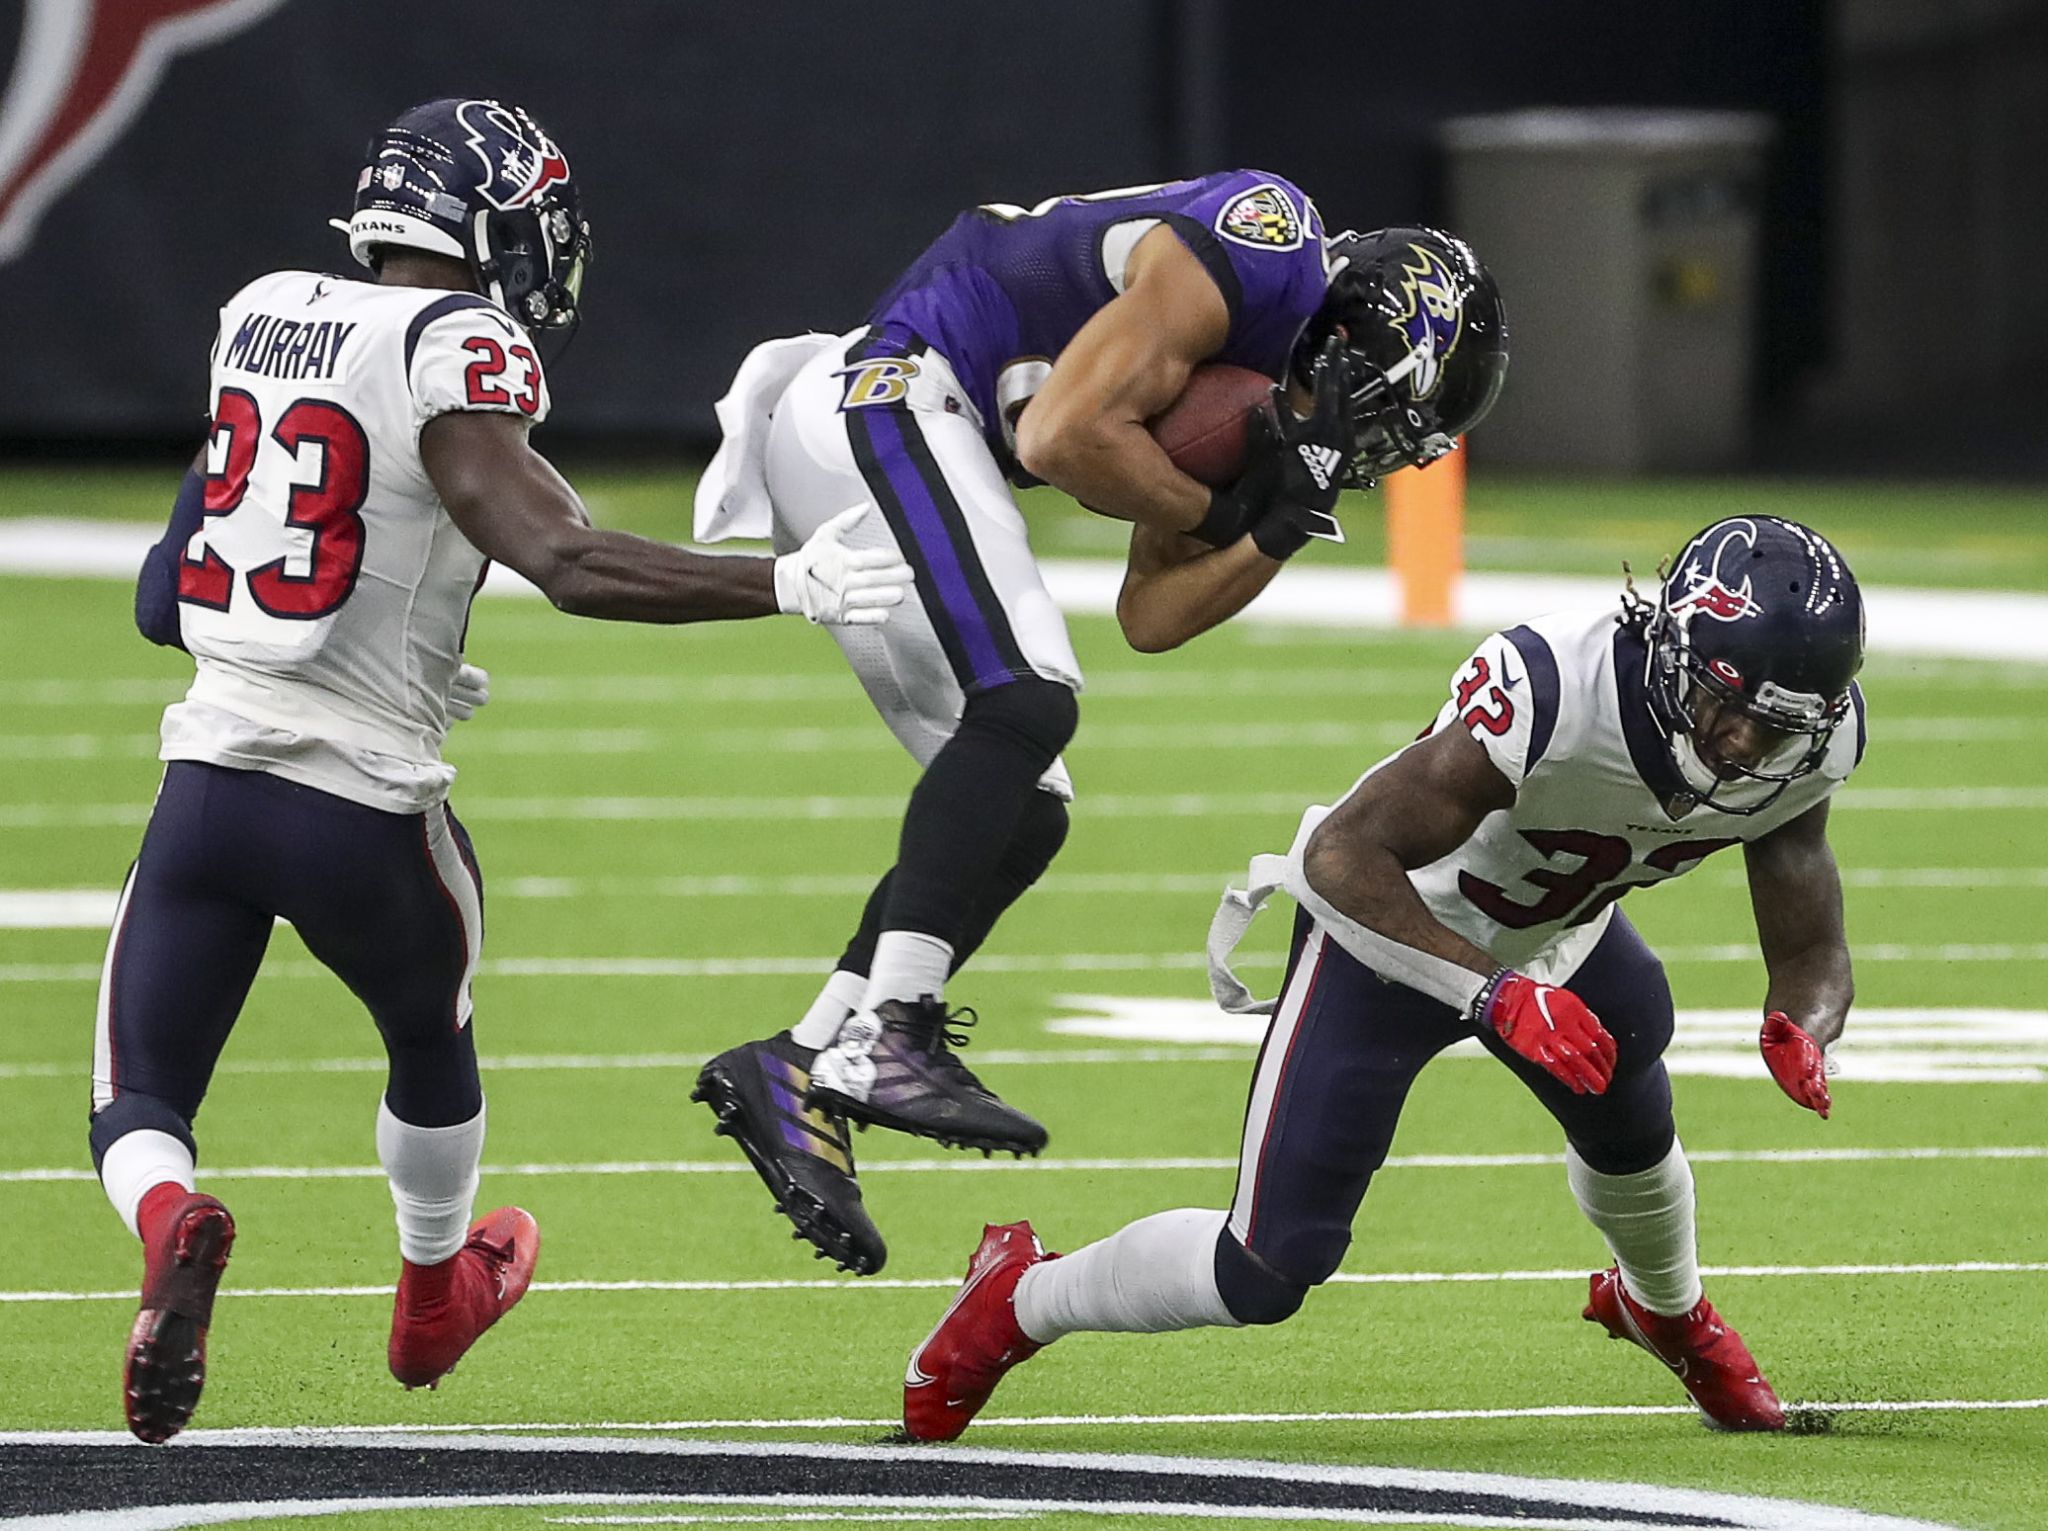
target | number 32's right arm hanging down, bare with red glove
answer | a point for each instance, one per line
(1795, 891)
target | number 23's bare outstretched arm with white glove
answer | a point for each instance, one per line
(519, 511)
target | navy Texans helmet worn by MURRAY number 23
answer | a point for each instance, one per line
(484, 183)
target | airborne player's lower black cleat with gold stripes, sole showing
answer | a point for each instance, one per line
(800, 1151)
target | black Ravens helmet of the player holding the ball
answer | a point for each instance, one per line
(1424, 341)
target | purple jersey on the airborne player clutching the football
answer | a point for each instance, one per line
(1009, 286)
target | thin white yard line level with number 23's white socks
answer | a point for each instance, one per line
(2022, 1153)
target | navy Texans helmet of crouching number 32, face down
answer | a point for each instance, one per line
(1758, 615)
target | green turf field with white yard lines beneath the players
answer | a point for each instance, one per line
(675, 828)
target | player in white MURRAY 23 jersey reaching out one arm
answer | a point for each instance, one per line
(366, 464)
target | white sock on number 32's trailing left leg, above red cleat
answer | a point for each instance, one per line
(1150, 1278)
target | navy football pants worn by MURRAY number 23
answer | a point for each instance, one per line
(392, 904)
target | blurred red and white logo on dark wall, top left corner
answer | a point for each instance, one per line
(81, 75)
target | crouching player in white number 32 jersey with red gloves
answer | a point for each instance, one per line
(1469, 887)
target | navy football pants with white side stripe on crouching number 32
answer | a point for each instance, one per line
(1340, 1057)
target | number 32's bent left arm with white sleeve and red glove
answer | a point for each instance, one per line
(1418, 810)
